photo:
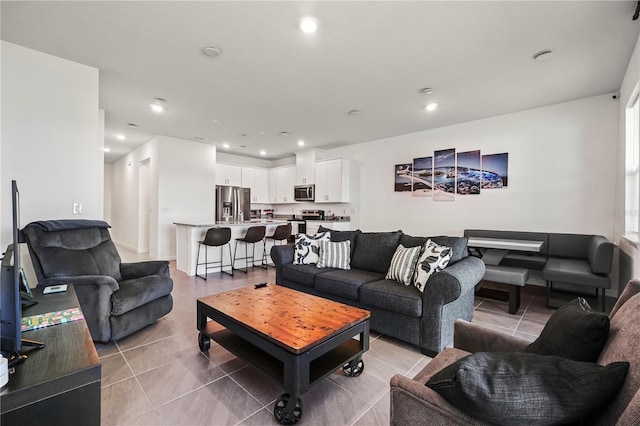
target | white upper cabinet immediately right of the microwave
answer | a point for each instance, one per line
(333, 181)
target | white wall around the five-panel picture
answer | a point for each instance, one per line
(562, 173)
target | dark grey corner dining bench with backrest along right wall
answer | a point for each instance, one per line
(575, 259)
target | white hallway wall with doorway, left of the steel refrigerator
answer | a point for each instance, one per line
(181, 189)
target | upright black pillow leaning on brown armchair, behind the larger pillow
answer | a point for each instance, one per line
(574, 331)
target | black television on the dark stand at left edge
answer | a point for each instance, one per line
(11, 282)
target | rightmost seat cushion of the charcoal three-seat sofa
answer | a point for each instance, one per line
(389, 295)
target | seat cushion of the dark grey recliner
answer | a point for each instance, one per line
(139, 291)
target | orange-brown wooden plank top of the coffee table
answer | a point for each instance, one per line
(293, 319)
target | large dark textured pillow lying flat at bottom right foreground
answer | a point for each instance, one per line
(513, 388)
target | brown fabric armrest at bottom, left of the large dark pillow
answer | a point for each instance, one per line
(413, 403)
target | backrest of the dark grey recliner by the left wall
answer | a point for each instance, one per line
(72, 252)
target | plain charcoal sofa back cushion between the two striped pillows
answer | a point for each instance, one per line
(374, 250)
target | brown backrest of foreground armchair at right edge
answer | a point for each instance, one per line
(622, 345)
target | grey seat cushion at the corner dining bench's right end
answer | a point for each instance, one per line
(573, 271)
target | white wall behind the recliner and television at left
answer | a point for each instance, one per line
(51, 137)
